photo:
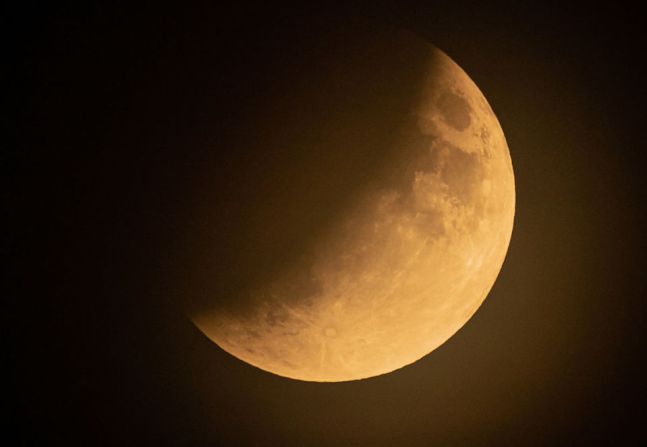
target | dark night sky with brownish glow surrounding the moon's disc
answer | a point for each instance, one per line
(138, 141)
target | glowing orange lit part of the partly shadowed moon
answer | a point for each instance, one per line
(408, 262)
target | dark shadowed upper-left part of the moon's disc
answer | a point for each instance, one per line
(319, 138)
